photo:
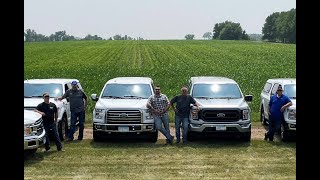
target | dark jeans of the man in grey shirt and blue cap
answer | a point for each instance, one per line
(74, 116)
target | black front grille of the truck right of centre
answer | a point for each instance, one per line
(220, 115)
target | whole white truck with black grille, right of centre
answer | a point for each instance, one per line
(223, 108)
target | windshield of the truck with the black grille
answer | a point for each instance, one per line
(216, 91)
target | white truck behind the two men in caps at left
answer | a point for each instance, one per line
(33, 91)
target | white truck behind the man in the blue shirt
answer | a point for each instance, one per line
(288, 127)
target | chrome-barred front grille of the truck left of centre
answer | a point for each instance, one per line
(123, 117)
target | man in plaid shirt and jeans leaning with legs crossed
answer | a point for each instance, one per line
(159, 105)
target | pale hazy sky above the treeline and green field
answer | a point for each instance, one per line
(149, 19)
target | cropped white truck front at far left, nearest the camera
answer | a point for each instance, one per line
(34, 133)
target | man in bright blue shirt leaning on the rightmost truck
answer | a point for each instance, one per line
(277, 104)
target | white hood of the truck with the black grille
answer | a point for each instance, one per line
(222, 103)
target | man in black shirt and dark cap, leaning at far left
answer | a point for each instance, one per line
(49, 113)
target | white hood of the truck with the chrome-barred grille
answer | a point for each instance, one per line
(122, 103)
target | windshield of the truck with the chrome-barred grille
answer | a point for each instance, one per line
(132, 91)
